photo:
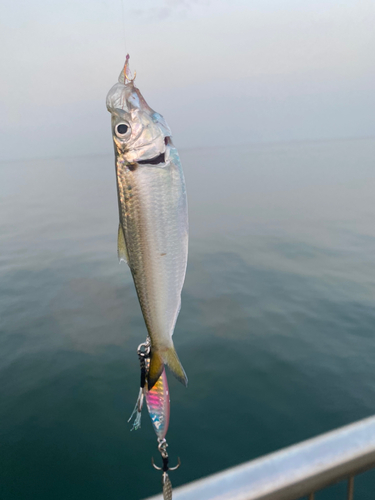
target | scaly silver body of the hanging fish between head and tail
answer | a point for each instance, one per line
(153, 215)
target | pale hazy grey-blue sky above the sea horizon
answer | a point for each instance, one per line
(221, 72)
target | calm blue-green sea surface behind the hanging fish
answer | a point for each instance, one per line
(276, 331)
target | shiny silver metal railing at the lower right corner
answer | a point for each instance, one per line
(294, 472)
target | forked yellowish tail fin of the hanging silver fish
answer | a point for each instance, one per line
(168, 357)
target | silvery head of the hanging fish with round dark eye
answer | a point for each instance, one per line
(139, 133)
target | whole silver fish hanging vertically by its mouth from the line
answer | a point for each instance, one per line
(153, 228)
